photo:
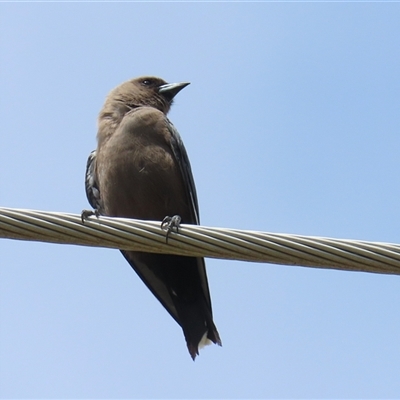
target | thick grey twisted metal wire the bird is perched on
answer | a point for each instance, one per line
(193, 240)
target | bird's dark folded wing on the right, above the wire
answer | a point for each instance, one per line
(184, 165)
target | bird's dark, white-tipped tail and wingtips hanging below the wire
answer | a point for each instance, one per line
(176, 282)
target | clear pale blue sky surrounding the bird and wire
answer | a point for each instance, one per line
(292, 125)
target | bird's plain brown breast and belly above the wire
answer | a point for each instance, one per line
(138, 174)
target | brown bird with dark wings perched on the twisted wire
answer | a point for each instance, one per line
(140, 169)
